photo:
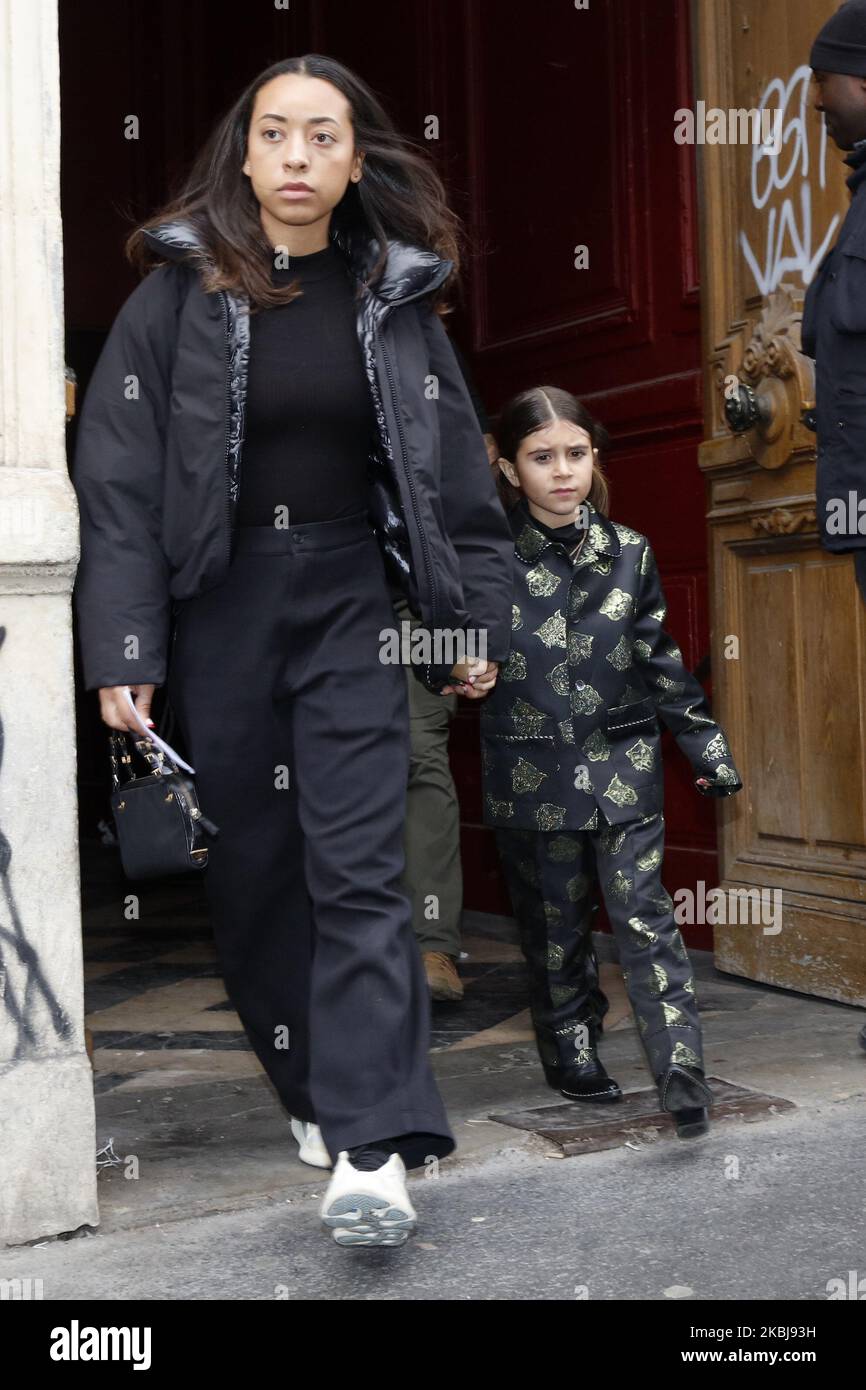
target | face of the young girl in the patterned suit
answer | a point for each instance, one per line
(554, 471)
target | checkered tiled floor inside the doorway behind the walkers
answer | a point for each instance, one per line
(158, 1011)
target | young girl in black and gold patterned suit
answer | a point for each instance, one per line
(572, 760)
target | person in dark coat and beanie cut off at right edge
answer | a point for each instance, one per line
(835, 311)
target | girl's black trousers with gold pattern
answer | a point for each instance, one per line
(553, 881)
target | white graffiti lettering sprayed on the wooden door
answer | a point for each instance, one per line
(790, 238)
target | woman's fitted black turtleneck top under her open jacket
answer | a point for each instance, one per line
(311, 423)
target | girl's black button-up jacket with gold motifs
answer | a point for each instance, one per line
(572, 725)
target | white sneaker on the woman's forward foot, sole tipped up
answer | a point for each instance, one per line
(369, 1209)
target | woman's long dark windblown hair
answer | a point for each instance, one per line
(401, 194)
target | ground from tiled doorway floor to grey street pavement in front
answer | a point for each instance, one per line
(202, 1142)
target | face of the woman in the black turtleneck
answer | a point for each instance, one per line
(301, 133)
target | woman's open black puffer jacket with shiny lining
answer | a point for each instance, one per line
(159, 457)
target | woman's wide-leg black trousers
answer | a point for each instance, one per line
(300, 737)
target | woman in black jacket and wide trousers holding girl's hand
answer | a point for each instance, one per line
(291, 323)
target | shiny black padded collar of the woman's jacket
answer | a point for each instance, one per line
(411, 272)
